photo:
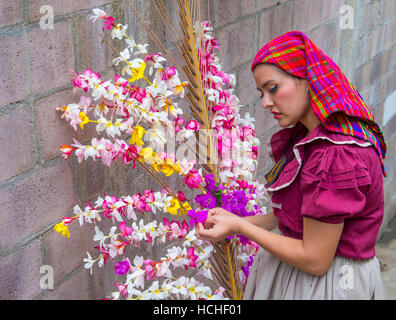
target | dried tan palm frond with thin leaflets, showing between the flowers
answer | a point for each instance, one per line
(185, 40)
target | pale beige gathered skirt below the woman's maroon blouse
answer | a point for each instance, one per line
(347, 279)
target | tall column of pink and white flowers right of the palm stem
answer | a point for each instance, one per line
(236, 141)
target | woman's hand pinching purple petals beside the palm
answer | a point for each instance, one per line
(218, 225)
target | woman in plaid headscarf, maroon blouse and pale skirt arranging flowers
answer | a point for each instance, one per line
(326, 187)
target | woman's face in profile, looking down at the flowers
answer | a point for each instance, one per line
(284, 96)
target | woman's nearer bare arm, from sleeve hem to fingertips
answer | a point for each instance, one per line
(313, 254)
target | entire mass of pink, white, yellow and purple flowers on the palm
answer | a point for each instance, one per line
(137, 124)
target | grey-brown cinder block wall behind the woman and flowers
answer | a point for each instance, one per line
(38, 187)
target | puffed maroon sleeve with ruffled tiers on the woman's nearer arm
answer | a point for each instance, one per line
(334, 180)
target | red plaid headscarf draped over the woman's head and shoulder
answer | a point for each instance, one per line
(331, 92)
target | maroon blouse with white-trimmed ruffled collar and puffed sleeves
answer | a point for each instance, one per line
(332, 178)
